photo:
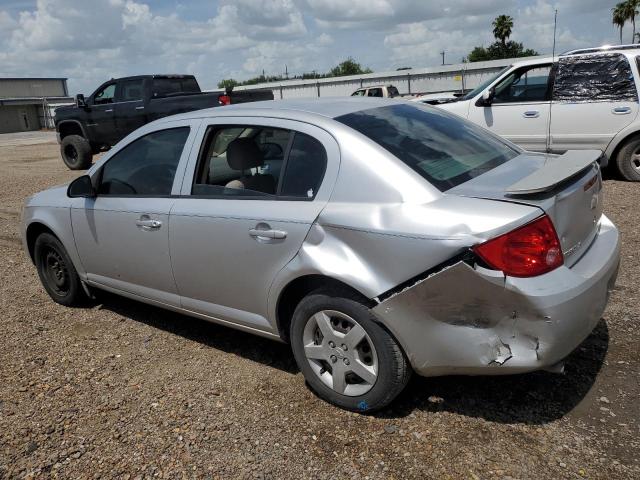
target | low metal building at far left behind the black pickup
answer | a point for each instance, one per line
(28, 103)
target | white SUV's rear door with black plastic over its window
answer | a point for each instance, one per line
(594, 97)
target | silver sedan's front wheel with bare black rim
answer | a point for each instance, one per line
(56, 271)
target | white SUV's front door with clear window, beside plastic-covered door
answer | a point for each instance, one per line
(519, 110)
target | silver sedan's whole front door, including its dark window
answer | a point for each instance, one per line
(122, 235)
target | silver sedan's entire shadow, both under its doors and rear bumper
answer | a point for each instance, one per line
(532, 398)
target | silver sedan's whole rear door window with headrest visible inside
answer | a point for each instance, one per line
(258, 161)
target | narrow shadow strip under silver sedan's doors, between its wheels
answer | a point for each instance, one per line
(252, 347)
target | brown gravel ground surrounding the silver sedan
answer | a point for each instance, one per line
(124, 390)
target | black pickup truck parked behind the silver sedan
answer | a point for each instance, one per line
(120, 106)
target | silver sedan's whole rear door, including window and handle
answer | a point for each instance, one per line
(238, 224)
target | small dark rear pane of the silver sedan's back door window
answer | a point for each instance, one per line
(305, 167)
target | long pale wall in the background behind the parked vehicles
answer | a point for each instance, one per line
(418, 80)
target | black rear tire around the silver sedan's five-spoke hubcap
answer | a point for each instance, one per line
(393, 369)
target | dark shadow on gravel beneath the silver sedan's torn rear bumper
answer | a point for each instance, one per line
(533, 398)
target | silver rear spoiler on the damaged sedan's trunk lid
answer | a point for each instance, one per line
(556, 169)
